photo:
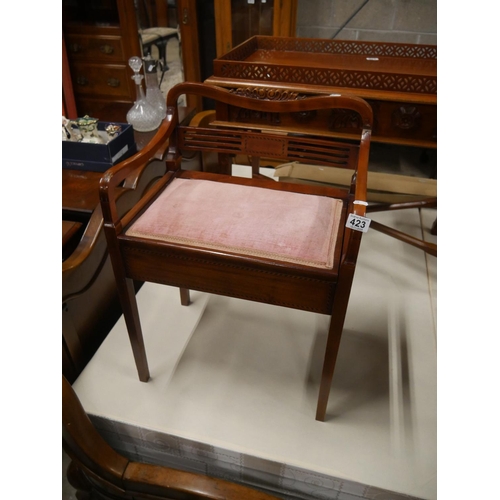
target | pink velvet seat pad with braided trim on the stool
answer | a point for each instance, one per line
(279, 225)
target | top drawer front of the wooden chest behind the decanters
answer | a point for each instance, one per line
(98, 48)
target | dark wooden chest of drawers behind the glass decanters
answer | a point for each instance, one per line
(100, 37)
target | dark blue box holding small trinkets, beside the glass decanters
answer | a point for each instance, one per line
(99, 157)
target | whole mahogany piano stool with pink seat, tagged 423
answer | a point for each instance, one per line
(259, 266)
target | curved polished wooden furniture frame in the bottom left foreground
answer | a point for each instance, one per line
(97, 471)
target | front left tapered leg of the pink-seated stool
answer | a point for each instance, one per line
(128, 302)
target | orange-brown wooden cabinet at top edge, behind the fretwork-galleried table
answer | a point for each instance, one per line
(238, 20)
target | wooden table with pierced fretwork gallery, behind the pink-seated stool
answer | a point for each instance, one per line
(398, 80)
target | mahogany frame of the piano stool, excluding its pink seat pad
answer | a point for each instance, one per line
(227, 272)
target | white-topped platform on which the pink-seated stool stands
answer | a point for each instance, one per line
(234, 383)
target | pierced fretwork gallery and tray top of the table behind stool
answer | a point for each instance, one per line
(268, 59)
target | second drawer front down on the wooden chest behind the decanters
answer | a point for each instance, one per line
(97, 80)
